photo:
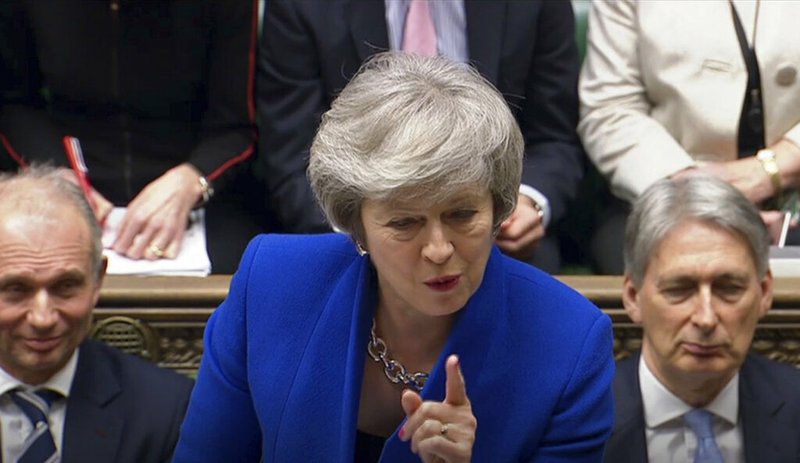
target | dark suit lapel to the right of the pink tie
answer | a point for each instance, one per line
(485, 27)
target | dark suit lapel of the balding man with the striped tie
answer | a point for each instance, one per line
(92, 430)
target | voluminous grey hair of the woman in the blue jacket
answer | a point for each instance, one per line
(414, 128)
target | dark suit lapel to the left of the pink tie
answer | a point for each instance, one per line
(368, 27)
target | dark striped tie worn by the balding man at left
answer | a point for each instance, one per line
(39, 445)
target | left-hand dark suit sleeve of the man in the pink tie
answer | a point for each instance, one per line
(291, 99)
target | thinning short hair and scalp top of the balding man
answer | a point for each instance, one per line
(34, 189)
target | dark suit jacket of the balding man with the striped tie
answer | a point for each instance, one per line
(122, 409)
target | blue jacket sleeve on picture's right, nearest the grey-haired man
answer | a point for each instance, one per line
(584, 416)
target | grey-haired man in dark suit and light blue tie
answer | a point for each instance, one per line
(697, 280)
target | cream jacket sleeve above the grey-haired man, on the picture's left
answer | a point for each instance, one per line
(630, 148)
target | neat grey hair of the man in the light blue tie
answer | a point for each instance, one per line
(668, 203)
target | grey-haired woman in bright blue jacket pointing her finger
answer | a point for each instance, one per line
(409, 336)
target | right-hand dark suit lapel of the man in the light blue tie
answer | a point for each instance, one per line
(760, 406)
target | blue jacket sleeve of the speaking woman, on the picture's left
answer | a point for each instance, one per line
(221, 422)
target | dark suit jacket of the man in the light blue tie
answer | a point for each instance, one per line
(769, 407)
